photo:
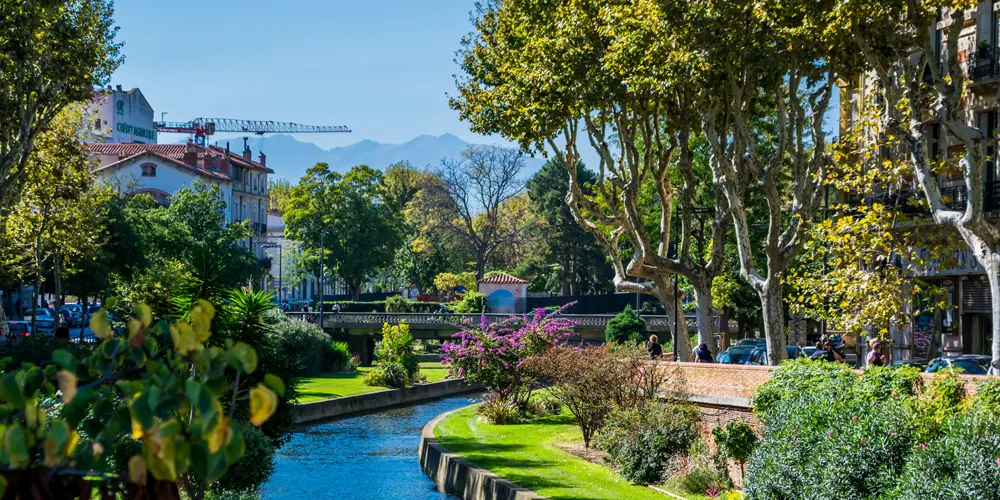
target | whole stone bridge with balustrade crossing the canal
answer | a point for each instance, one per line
(363, 329)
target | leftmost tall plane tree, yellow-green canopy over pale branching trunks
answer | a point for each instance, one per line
(602, 74)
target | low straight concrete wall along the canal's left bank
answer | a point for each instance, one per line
(338, 407)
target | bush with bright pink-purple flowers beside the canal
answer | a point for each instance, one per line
(493, 355)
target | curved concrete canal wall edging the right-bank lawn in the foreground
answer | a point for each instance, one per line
(458, 476)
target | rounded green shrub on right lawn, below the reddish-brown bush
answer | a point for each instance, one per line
(643, 444)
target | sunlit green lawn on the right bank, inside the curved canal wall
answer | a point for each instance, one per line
(527, 455)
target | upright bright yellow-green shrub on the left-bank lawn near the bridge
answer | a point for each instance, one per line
(395, 361)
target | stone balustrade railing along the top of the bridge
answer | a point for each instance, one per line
(439, 320)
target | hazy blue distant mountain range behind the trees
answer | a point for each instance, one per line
(290, 158)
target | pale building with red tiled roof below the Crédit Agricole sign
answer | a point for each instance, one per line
(160, 170)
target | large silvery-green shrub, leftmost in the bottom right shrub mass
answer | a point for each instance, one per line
(826, 435)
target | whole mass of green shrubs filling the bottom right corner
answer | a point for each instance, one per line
(884, 429)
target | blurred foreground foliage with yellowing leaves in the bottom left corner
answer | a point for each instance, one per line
(139, 382)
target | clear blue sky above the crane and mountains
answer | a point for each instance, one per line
(381, 67)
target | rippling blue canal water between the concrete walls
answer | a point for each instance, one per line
(367, 456)
